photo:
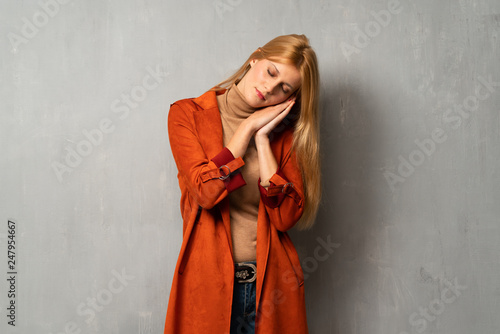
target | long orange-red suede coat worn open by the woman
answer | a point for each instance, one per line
(201, 294)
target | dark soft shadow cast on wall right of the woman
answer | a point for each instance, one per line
(333, 253)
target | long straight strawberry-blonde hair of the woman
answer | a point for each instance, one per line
(295, 49)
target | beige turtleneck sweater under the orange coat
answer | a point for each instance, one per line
(244, 201)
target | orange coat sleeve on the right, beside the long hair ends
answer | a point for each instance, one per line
(284, 198)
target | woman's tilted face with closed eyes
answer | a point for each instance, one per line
(268, 83)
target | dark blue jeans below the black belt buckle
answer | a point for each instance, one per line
(243, 309)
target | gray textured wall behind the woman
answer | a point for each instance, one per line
(407, 239)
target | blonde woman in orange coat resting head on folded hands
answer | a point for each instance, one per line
(247, 175)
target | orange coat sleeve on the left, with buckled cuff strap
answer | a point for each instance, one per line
(207, 180)
